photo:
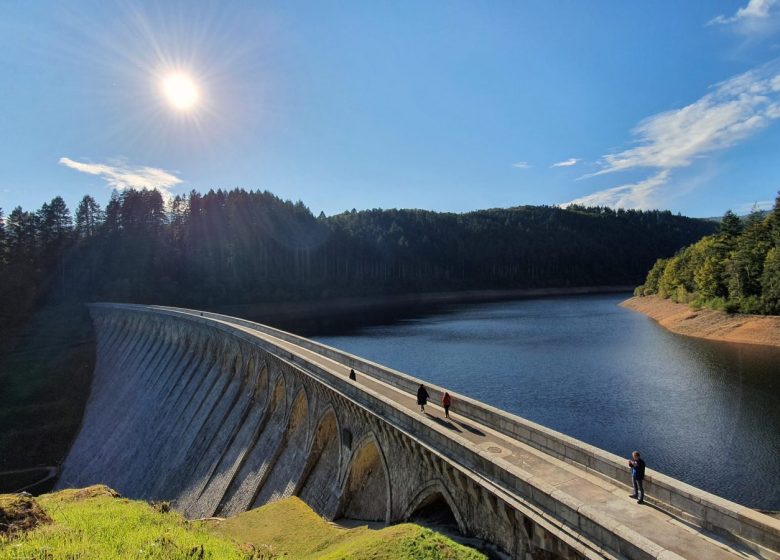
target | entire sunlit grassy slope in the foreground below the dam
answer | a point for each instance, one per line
(94, 524)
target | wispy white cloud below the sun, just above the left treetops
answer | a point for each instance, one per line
(118, 175)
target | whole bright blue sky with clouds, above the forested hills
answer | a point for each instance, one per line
(449, 106)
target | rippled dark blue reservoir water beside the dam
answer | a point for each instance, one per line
(704, 412)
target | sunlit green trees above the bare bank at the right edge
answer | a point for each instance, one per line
(735, 269)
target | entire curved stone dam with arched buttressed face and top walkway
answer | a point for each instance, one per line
(220, 415)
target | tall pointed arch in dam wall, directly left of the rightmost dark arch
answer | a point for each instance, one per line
(366, 493)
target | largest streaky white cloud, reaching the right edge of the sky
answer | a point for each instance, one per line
(734, 110)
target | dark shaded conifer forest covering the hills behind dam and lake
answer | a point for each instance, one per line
(238, 246)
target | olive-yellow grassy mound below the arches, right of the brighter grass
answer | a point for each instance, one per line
(289, 528)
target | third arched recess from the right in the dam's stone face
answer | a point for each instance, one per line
(318, 486)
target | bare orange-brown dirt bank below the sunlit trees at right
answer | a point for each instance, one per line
(706, 323)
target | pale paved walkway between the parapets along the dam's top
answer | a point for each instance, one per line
(609, 499)
